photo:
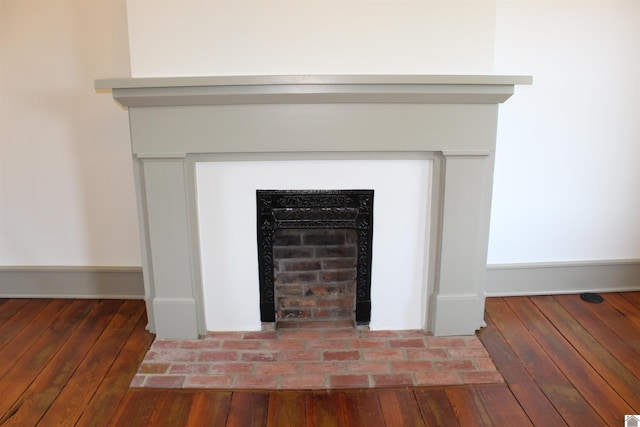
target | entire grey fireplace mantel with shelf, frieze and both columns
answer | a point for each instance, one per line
(176, 122)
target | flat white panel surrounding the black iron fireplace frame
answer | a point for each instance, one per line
(227, 231)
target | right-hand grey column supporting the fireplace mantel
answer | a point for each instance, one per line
(459, 290)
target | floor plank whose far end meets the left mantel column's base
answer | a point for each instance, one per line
(116, 382)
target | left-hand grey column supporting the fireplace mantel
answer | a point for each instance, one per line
(168, 252)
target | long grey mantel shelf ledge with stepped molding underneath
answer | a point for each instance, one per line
(306, 89)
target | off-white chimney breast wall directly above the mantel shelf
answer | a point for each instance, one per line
(249, 37)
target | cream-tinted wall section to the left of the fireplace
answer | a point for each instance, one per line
(66, 186)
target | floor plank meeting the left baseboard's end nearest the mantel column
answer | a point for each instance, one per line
(79, 390)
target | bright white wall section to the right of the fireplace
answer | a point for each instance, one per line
(567, 181)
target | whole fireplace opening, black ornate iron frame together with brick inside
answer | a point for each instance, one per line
(314, 254)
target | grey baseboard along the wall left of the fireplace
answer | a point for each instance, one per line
(71, 282)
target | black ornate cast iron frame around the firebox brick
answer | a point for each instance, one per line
(289, 209)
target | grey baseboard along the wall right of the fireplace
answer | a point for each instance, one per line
(562, 277)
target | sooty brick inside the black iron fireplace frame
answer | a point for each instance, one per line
(314, 275)
